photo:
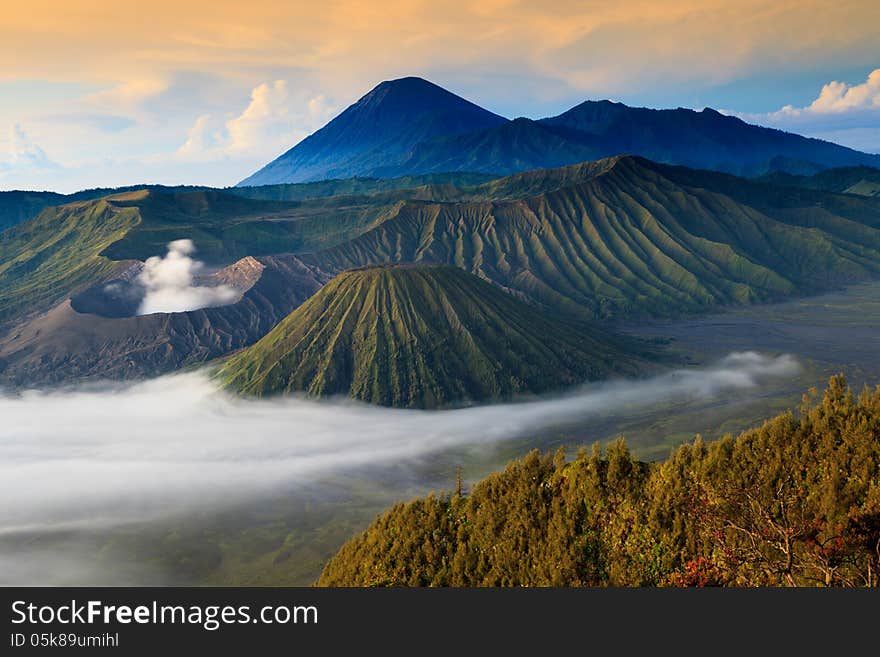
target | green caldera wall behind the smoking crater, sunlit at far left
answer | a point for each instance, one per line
(67, 248)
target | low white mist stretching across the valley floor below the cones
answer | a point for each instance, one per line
(97, 456)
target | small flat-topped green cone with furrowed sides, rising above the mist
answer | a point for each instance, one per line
(426, 337)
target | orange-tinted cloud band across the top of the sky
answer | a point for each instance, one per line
(102, 40)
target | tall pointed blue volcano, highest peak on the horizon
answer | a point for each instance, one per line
(377, 130)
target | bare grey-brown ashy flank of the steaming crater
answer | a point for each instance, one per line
(85, 339)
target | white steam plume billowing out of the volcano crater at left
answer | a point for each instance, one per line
(169, 283)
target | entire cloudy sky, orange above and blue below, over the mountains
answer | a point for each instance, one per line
(107, 93)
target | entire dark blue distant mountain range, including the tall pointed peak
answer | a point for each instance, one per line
(411, 126)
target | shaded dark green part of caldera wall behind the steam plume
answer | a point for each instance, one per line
(267, 220)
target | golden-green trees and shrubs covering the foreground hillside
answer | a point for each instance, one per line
(795, 502)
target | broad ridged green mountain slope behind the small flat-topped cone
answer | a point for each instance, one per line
(627, 236)
